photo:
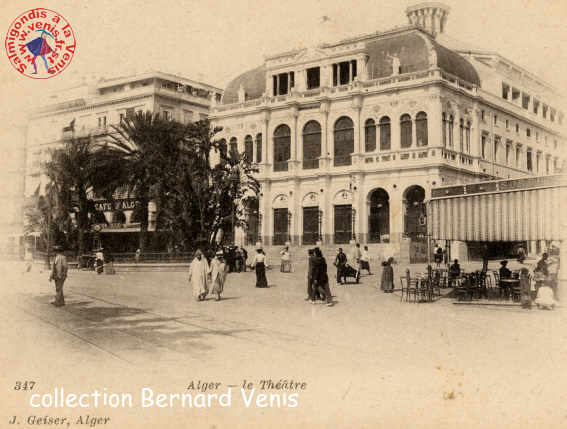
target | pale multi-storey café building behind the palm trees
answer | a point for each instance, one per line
(91, 109)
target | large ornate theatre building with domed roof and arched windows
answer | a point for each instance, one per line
(351, 136)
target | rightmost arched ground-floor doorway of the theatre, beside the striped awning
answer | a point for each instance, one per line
(415, 223)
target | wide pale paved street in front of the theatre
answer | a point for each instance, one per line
(369, 361)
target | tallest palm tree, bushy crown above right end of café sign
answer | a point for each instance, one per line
(144, 148)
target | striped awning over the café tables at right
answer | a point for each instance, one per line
(504, 210)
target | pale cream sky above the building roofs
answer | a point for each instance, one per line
(215, 40)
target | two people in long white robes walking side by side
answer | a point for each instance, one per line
(205, 278)
